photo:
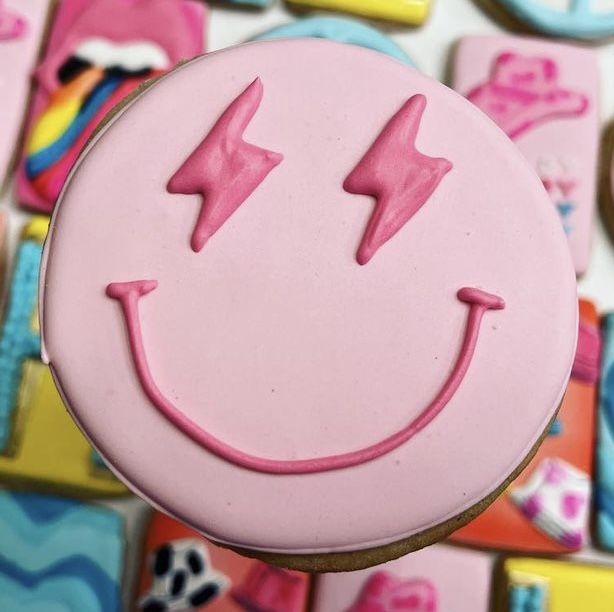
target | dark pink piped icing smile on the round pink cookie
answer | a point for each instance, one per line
(129, 293)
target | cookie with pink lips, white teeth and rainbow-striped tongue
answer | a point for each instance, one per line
(98, 52)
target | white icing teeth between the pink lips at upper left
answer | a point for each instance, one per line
(132, 57)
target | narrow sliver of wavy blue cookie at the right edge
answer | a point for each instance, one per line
(604, 486)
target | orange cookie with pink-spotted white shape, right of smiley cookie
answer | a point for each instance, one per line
(546, 509)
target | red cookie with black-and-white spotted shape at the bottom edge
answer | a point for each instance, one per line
(180, 570)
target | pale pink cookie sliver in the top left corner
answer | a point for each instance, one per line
(22, 23)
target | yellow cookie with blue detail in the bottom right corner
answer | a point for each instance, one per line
(543, 585)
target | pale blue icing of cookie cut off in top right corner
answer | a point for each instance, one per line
(579, 21)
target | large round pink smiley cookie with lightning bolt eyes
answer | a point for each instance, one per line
(319, 312)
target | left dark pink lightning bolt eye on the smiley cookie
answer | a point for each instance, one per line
(224, 169)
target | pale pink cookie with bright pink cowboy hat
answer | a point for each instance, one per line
(545, 97)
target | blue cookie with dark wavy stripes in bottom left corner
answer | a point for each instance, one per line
(59, 555)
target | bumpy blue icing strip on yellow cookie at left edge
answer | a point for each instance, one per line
(17, 340)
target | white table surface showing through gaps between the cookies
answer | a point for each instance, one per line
(430, 47)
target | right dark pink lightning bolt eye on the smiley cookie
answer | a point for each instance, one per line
(397, 175)
